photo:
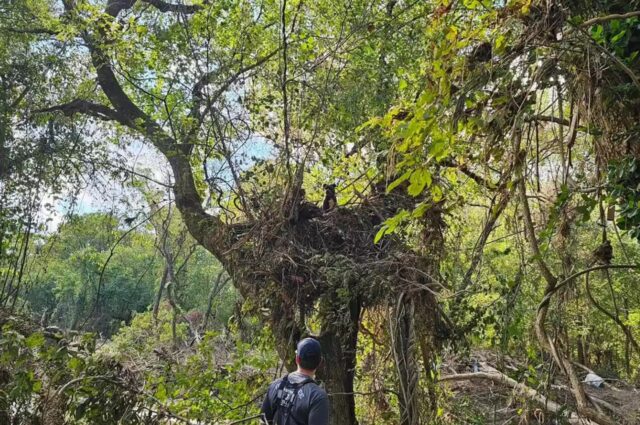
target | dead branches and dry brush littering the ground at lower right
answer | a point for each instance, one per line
(493, 388)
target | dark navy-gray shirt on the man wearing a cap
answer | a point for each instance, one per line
(309, 404)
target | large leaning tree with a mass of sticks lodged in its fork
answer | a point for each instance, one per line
(210, 84)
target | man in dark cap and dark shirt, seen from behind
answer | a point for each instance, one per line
(297, 399)
